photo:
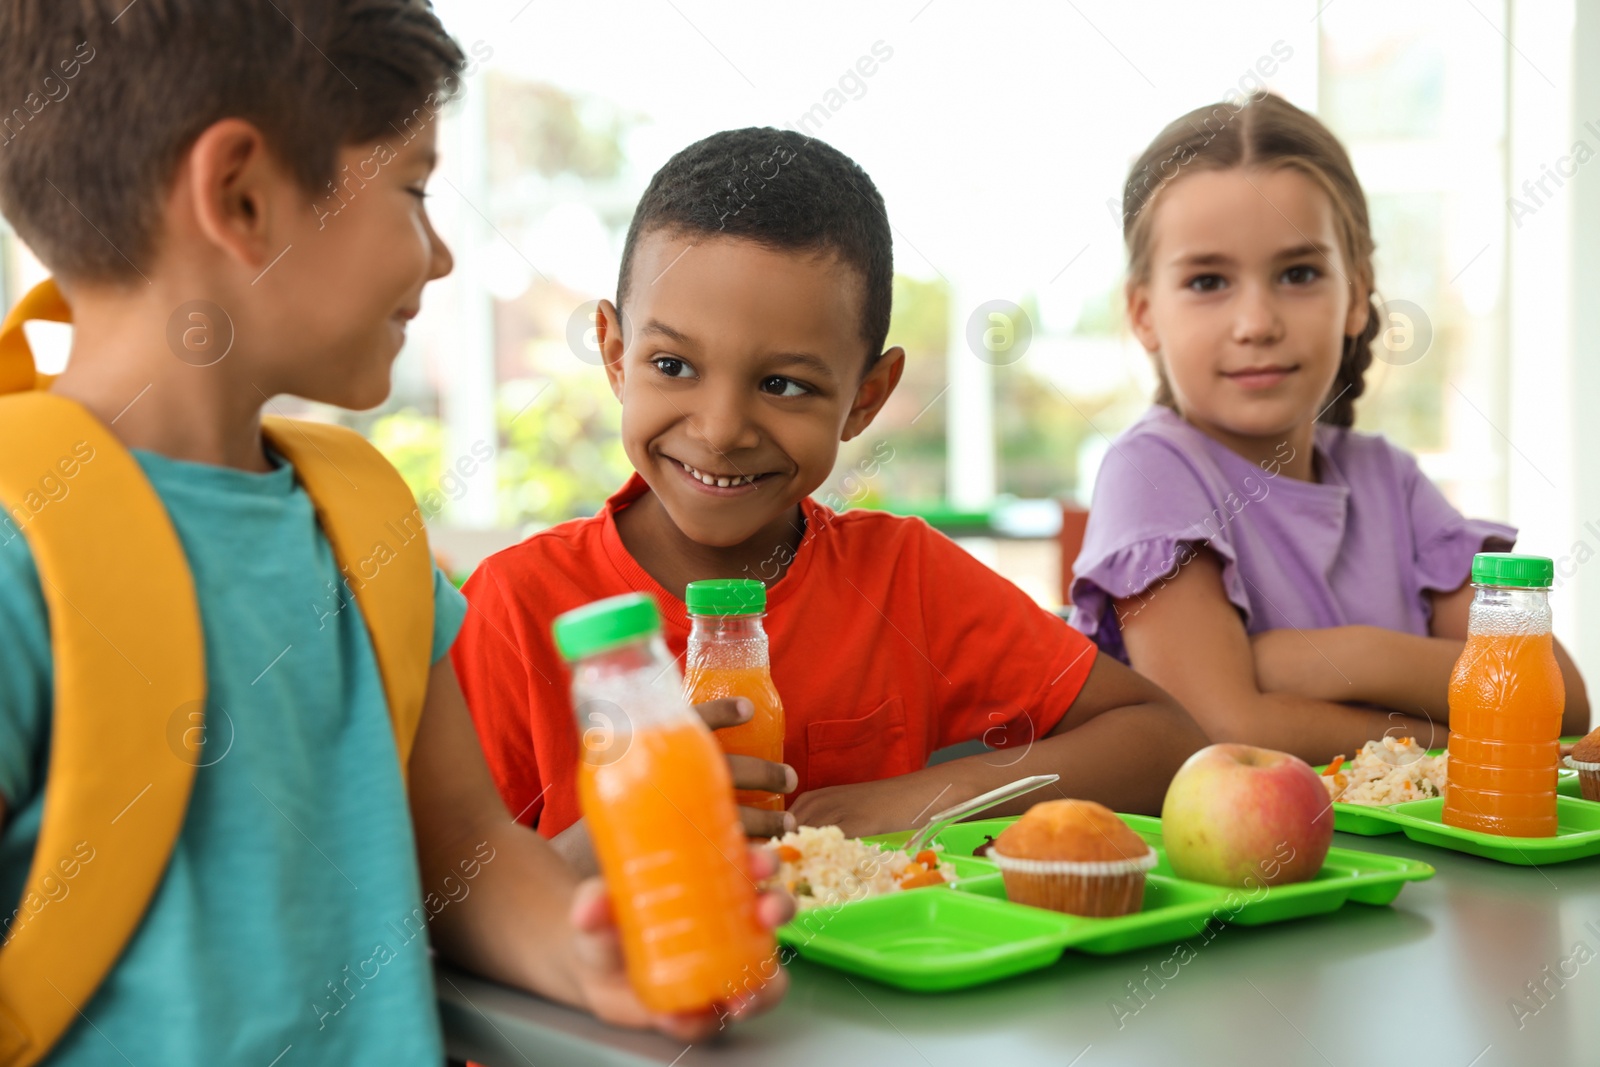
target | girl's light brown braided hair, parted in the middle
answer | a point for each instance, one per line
(1262, 132)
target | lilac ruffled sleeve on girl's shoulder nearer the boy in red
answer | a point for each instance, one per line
(1154, 508)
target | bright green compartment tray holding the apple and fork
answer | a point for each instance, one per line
(958, 937)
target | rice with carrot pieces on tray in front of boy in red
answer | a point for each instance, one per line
(820, 866)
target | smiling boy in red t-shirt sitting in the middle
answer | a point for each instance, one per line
(745, 348)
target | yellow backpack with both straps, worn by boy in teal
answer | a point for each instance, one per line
(130, 665)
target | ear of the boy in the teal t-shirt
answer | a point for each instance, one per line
(231, 185)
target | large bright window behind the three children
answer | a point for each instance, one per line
(1001, 138)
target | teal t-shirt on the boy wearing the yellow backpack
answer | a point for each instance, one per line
(289, 927)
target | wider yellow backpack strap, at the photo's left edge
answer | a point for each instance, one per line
(129, 665)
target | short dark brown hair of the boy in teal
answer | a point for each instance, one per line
(100, 100)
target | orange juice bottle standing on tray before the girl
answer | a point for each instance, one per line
(1506, 703)
